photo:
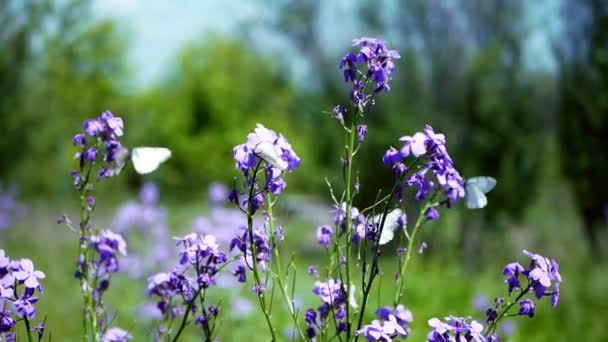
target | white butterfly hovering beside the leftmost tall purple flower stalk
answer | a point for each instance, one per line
(145, 159)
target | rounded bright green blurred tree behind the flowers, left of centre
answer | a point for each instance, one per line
(218, 93)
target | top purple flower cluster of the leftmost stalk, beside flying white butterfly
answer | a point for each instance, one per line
(99, 144)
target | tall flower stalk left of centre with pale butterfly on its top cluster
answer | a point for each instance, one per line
(265, 153)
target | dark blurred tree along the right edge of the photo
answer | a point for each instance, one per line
(583, 54)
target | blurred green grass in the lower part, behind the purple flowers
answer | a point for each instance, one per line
(438, 284)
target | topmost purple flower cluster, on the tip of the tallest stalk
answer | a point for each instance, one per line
(376, 63)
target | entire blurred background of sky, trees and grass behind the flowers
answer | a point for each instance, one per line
(520, 88)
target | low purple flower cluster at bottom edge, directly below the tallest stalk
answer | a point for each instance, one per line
(390, 324)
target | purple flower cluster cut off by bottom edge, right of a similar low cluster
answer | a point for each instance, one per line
(455, 329)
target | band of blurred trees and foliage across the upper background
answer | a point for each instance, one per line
(462, 71)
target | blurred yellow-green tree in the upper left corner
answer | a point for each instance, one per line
(74, 72)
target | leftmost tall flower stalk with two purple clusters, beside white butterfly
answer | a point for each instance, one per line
(100, 153)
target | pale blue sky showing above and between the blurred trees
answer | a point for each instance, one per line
(159, 28)
